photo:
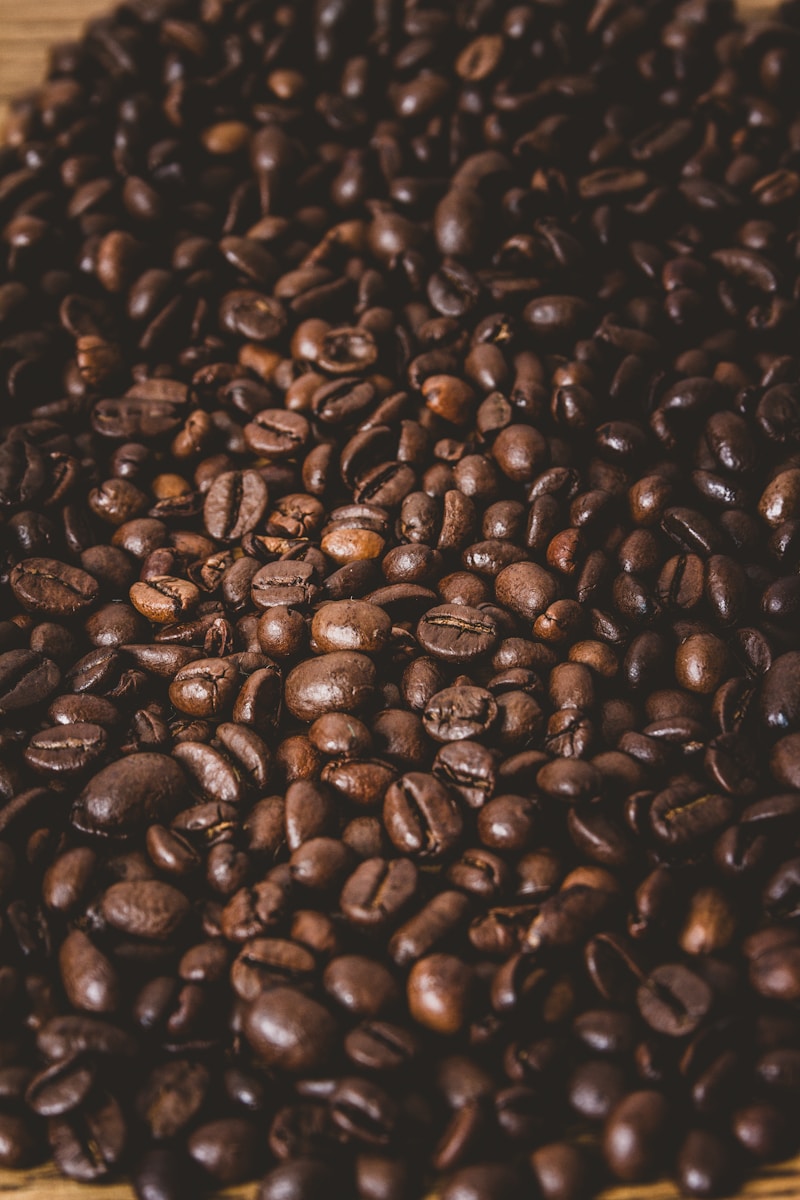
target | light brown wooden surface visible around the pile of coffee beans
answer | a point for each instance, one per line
(27, 29)
